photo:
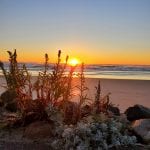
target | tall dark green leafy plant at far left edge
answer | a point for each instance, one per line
(18, 80)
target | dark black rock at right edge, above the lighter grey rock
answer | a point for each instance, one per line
(137, 112)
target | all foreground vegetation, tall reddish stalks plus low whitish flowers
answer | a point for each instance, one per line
(83, 124)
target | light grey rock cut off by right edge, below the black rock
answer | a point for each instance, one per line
(142, 128)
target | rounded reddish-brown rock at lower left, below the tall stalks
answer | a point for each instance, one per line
(39, 130)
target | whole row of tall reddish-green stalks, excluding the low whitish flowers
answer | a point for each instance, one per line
(53, 90)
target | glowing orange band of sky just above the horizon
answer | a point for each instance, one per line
(88, 58)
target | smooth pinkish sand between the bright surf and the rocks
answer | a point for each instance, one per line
(124, 93)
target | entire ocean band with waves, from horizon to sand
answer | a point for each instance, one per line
(137, 72)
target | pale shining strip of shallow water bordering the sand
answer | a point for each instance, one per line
(107, 74)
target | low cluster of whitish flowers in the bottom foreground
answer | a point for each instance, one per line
(89, 136)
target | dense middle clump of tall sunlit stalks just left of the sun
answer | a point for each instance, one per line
(54, 89)
